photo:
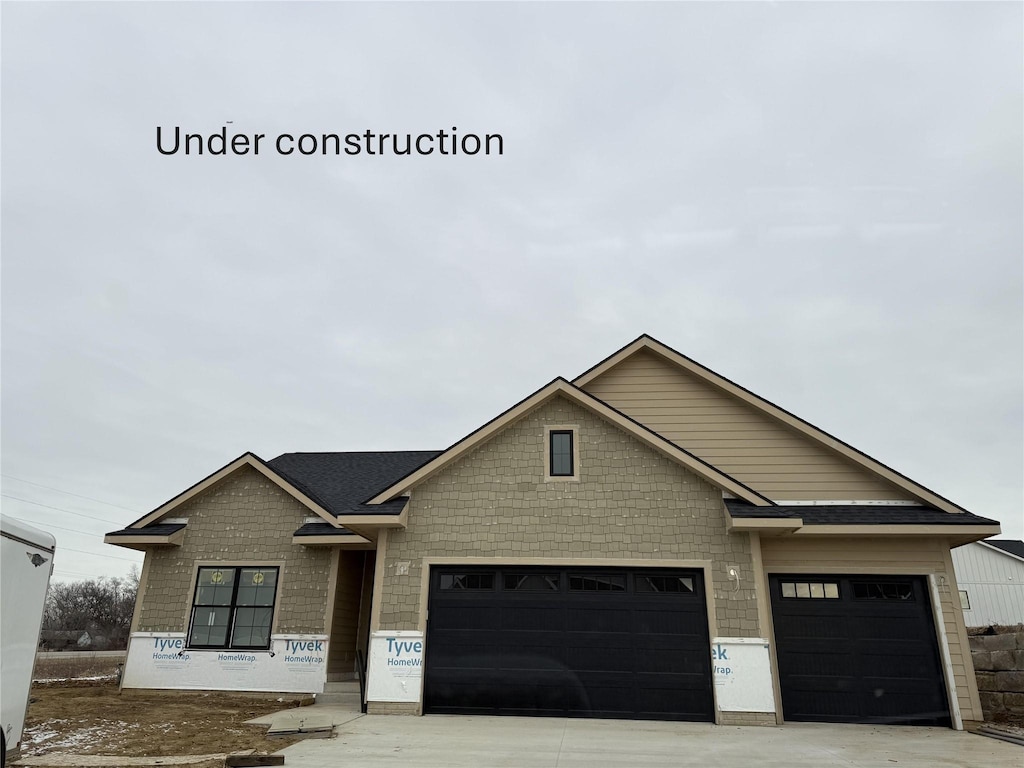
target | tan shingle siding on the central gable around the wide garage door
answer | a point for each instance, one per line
(631, 503)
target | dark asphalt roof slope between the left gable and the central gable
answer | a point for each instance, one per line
(345, 481)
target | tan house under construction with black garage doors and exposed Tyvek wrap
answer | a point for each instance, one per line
(648, 541)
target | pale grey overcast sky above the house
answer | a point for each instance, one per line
(822, 202)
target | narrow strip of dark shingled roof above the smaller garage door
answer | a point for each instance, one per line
(859, 515)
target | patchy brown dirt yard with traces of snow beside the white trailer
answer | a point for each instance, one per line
(92, 717)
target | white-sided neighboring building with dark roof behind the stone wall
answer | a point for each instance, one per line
(991, 576)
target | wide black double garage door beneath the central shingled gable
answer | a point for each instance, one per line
(569, 643)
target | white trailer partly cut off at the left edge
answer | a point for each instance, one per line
(26, 563)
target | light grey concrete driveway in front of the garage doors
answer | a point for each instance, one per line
(455, 742)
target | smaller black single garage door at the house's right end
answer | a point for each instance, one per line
(858, 650)
